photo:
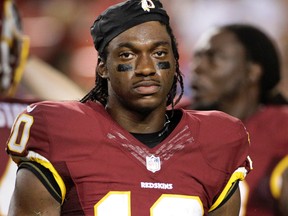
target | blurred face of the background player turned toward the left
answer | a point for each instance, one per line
(219, 69)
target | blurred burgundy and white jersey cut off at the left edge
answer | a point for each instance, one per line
(9, 109)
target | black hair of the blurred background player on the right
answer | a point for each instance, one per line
(261, 49)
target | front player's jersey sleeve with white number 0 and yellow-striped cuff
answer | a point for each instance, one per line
(30, 140)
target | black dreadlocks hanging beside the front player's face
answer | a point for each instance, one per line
(100, 91)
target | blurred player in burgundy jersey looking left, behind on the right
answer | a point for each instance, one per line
(235, 69)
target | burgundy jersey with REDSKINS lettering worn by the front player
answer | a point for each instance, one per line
(102, 168)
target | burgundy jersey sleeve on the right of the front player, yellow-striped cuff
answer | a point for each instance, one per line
(225, 144)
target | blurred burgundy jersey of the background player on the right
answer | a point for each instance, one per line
(269, 149)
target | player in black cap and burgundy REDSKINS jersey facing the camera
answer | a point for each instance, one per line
(120, 151)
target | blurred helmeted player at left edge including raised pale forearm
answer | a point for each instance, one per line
(40, 78)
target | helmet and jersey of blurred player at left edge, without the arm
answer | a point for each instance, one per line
(13, 54)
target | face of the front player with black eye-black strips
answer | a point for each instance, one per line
(140, 67)
